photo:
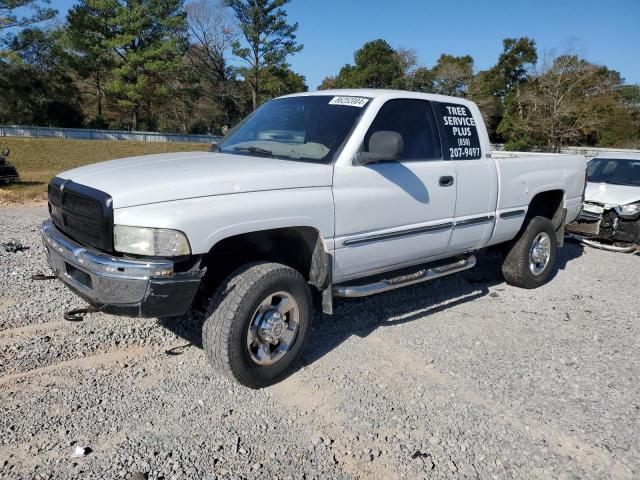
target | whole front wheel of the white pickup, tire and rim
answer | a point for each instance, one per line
(257, 323)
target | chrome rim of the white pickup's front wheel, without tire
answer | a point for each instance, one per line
(273, 329)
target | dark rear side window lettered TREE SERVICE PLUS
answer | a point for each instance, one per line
(458, 131)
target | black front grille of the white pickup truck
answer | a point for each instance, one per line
(83, 213)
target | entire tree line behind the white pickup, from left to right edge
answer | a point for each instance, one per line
(199, 66)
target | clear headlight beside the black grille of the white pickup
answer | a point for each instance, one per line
(154, 242)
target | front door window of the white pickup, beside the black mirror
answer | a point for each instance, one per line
(414, 120)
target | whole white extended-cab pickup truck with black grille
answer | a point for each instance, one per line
(341, 193)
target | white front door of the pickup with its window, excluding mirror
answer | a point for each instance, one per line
(395, 212)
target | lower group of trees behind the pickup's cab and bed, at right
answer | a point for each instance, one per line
(527, 102)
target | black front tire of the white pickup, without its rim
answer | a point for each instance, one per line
(230, 314)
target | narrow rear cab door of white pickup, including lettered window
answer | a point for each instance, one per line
(464, 143)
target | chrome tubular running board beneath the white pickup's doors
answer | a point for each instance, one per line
(353, 291)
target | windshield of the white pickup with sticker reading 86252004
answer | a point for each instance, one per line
(308, 128)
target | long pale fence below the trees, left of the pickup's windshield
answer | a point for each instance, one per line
(92, 134)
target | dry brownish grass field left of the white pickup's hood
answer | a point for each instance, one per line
(39, 159)
